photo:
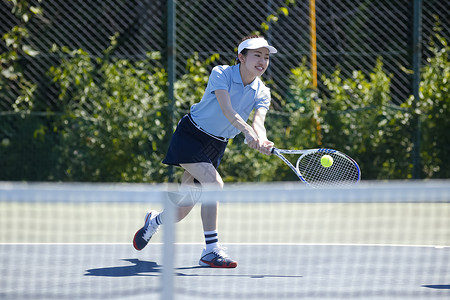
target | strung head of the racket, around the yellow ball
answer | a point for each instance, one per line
(342, 172)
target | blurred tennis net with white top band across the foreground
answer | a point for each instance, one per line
(376, 240)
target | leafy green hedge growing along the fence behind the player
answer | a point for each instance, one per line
(111, 123)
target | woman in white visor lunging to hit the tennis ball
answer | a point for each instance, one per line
(201, 137)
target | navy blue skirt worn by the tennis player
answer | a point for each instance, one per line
(191, 144)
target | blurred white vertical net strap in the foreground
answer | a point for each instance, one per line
(167, 279)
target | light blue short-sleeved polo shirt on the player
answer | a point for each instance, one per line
(208, 114)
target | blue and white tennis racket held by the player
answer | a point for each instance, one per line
(343, 171)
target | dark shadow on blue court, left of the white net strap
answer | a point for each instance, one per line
(136, 269)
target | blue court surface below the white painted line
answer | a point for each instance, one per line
(117, 271)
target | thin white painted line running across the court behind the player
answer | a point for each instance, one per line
(250, 244)
